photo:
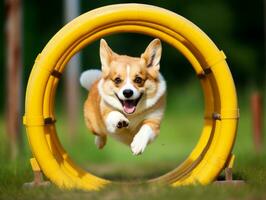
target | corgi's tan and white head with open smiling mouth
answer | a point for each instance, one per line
(131, 84)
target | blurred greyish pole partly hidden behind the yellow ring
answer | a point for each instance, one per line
(72, 87)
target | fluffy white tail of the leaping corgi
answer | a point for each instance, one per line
(88, 77)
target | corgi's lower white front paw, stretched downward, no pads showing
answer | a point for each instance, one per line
(142, 139)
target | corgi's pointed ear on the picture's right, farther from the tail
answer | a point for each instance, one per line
(152, 57)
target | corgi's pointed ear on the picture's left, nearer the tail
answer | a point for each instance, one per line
(106, 55)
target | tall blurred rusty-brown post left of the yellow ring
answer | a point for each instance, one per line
(13, 74)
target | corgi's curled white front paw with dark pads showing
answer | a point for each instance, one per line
(115, 120)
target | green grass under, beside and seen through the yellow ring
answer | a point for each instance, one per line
(179, 134)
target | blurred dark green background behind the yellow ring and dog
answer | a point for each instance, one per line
(236, 27)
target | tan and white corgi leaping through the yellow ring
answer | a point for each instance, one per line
(126, 98)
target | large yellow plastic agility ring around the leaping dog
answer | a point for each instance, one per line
(214, 147)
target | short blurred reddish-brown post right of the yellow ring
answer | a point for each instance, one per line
(257, 120)
